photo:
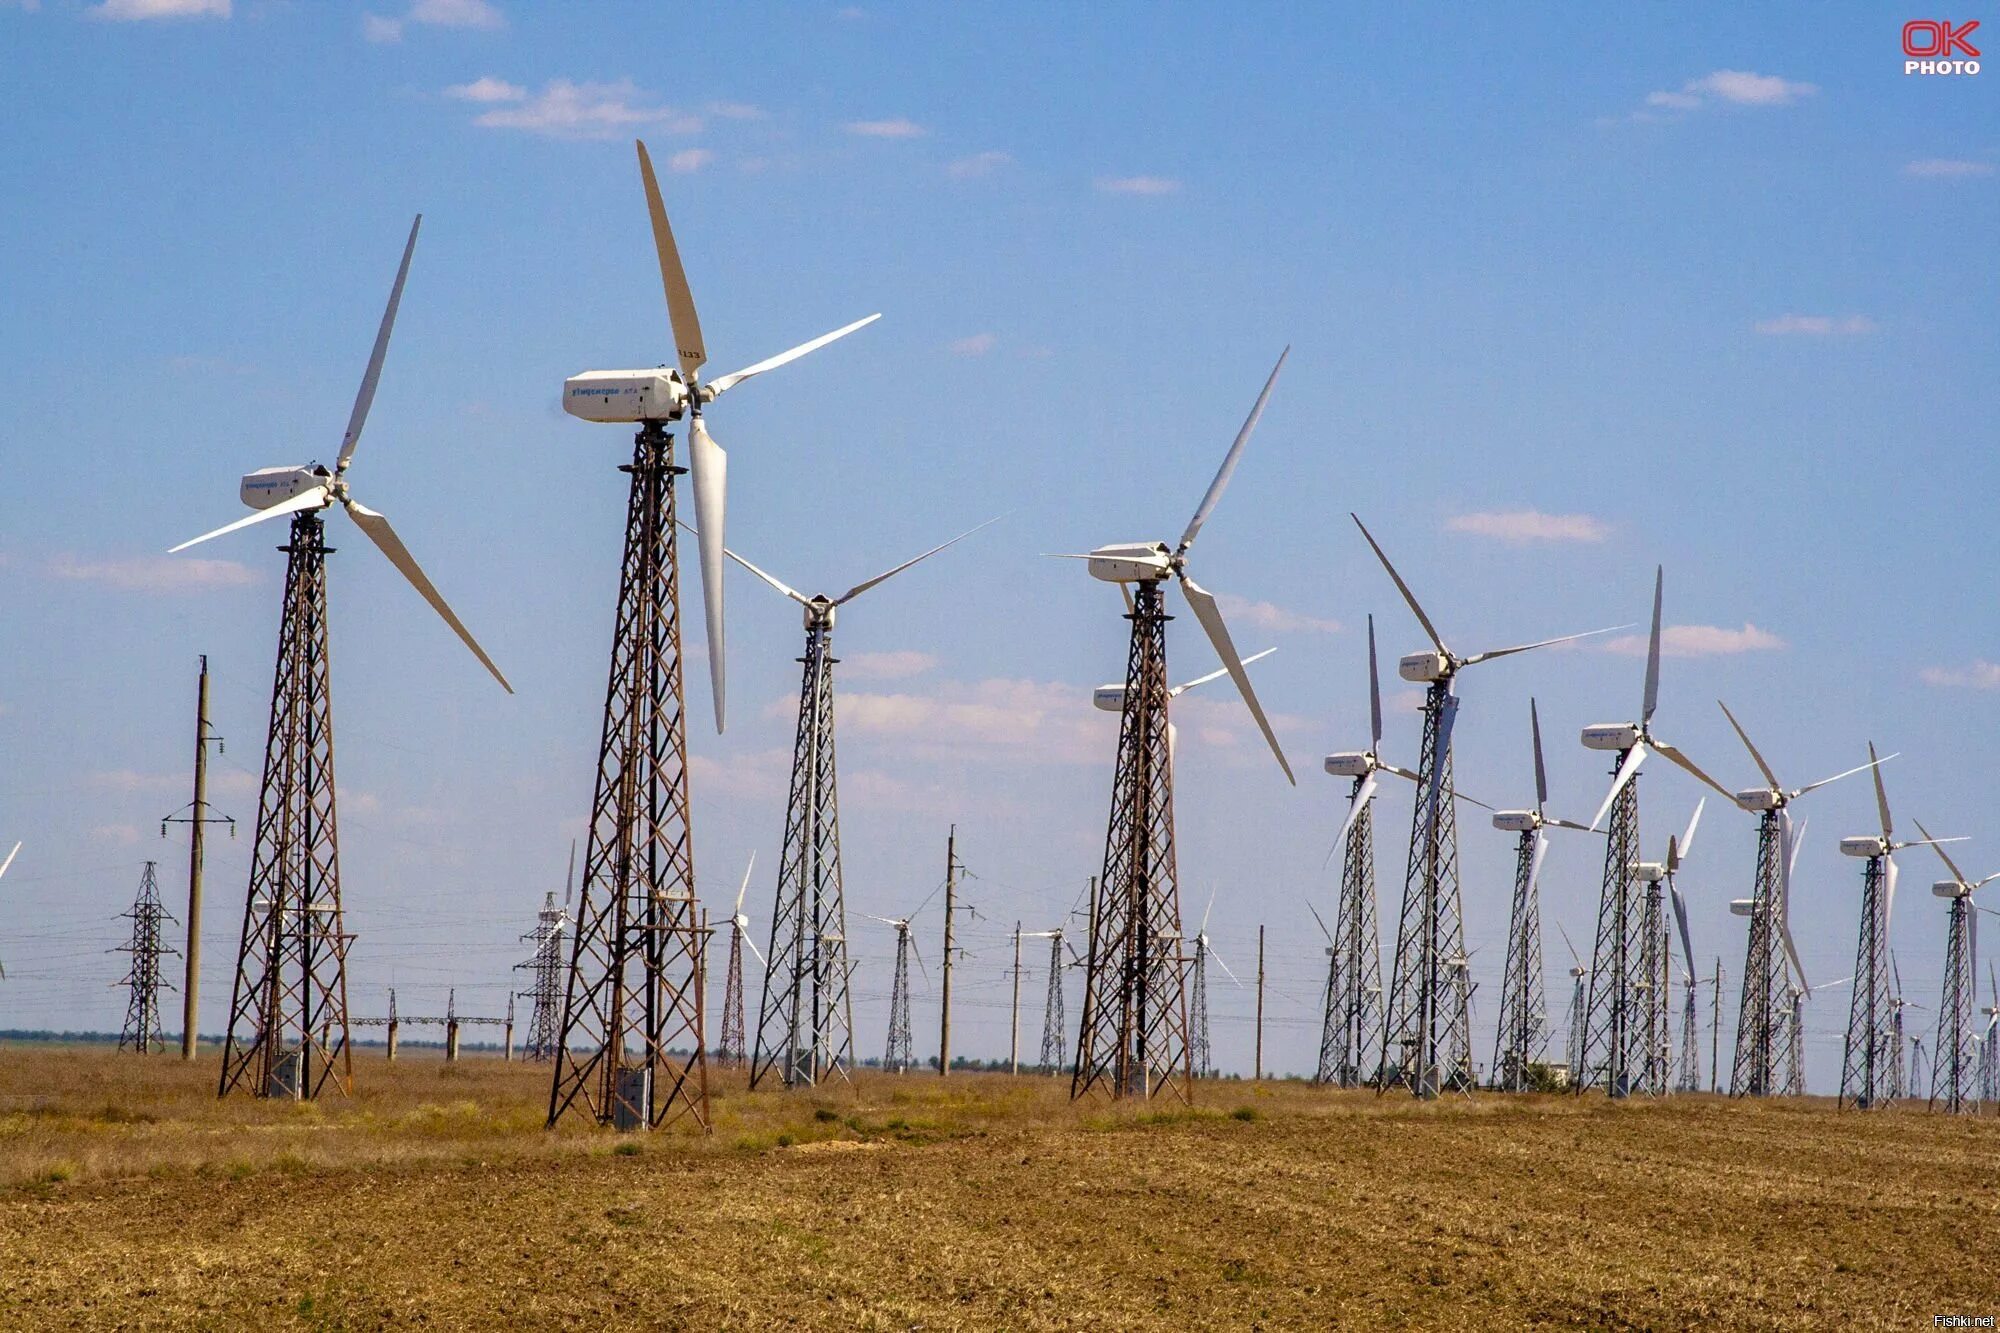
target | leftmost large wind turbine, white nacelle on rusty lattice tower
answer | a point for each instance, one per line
(289, 1020)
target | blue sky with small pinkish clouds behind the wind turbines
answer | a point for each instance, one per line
(1567, 299)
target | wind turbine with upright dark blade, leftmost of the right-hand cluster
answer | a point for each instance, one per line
(1353, 1026)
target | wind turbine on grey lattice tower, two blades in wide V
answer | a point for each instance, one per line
(805, 1020)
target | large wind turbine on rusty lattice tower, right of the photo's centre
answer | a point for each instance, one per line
(1133, 1038)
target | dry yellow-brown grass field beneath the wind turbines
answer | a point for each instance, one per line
(131, 1198)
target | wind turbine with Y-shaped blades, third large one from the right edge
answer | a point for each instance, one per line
(1771, 918)
